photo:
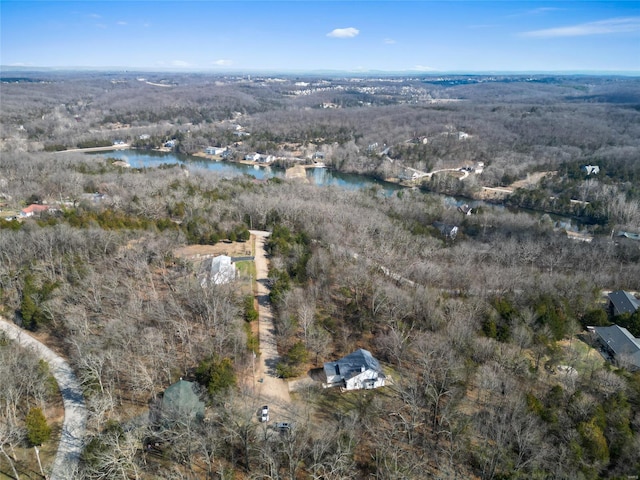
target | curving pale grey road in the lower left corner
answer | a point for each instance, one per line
(65, 464)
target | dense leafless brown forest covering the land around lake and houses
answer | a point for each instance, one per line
(483, 334)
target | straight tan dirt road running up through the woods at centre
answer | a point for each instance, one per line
(266, 382)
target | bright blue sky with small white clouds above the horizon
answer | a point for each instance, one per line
(420, 36)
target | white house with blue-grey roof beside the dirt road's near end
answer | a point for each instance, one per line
(355, 371)
